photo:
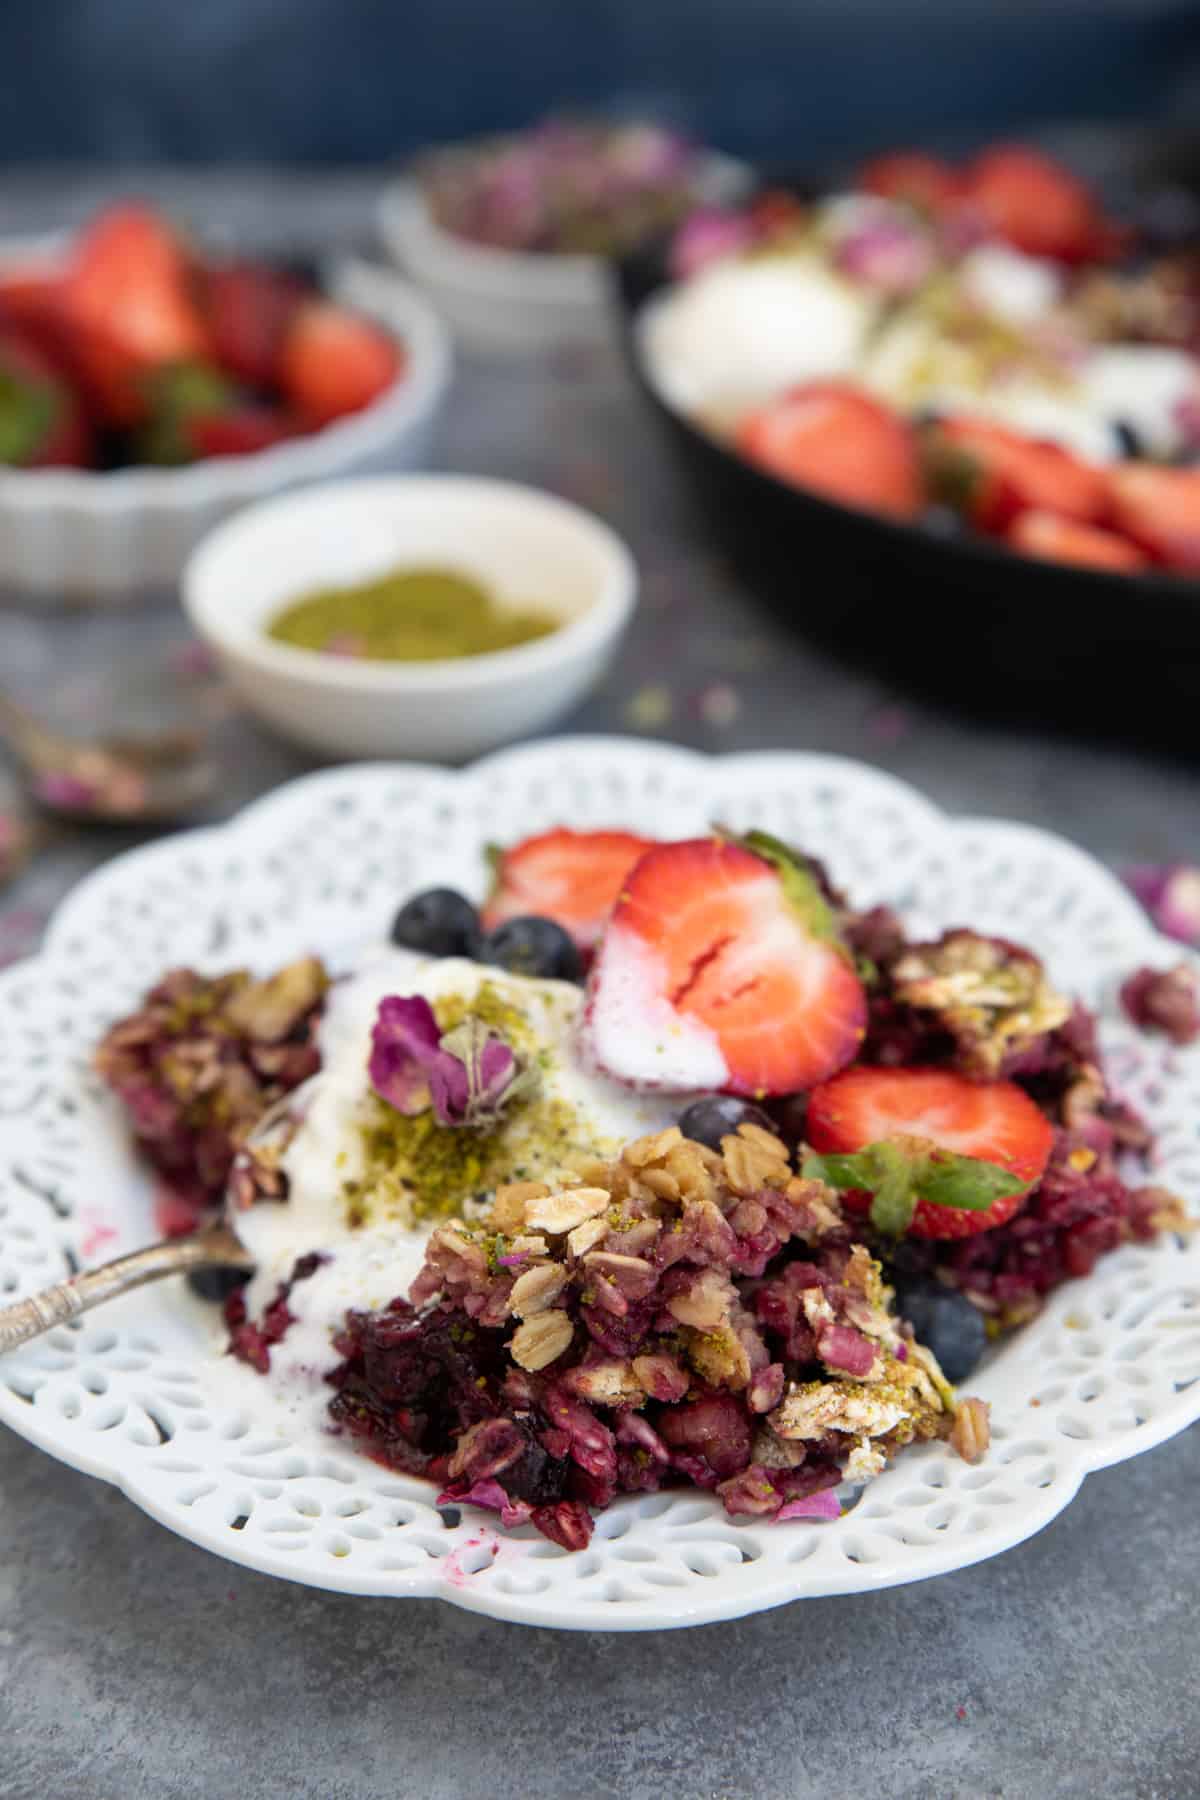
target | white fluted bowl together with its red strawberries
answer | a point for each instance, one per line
(165, 386)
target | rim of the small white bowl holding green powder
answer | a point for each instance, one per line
(208, 580)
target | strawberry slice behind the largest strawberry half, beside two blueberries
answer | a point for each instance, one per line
(573, 877)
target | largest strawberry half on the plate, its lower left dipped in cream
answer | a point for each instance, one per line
(722, 969)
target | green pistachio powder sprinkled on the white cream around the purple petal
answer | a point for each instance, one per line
(420, 1169)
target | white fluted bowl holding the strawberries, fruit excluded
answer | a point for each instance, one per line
(102, 539)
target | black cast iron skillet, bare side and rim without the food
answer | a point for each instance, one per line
(956, 618)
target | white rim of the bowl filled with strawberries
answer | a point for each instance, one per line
(219, 481)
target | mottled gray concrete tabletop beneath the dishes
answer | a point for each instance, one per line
(136, 1668)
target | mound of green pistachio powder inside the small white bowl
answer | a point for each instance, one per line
(407, 616)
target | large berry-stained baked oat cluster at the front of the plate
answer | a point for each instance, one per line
(623, 1335)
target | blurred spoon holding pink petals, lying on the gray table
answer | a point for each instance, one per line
(114, 778)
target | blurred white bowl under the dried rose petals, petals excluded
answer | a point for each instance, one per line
(512, 301)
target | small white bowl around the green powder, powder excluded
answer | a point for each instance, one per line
(524, 546)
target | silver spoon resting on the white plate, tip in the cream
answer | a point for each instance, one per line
(215, 1246)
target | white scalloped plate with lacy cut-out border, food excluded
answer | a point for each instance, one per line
(141, 1396)
